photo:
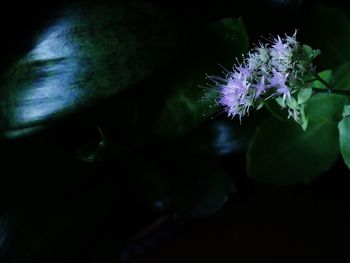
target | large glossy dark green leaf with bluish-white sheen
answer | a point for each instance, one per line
(87, 53)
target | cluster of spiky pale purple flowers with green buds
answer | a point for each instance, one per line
(276, 70)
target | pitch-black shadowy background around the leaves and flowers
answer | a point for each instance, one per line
(55, 208)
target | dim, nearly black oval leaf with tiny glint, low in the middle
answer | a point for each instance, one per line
(191, 187)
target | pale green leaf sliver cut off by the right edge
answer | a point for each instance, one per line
(344, 135)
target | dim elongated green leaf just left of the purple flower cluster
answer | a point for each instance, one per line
(189, 105)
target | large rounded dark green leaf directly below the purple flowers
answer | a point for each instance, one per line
(282, 153)
